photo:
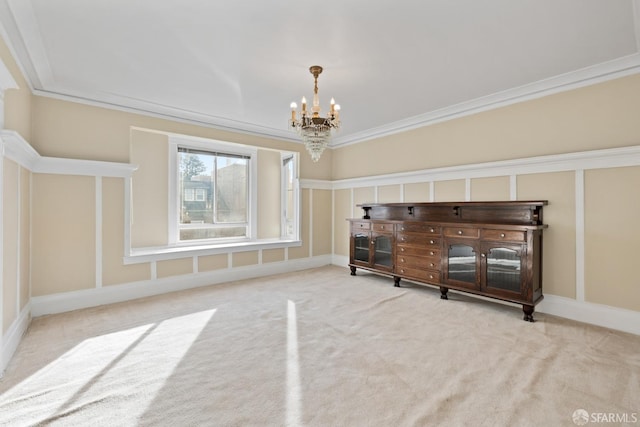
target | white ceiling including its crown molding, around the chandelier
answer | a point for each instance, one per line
(392, 65)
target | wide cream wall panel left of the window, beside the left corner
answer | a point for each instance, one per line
(63, 233)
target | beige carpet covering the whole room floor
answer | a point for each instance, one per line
(316, 348)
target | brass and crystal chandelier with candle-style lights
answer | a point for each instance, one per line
(315, 130)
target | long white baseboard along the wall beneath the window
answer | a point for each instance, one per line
(59, 303)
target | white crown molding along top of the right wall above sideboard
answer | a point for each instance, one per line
(605, 71)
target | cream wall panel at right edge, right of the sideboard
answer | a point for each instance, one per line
(612, 233)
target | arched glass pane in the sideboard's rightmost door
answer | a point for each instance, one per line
(504, 269)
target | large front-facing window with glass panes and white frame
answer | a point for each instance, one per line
(213, 191)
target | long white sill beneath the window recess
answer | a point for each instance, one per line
(141, 255)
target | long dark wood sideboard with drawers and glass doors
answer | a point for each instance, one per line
(492, 249)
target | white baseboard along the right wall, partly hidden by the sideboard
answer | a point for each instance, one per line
(595, 314)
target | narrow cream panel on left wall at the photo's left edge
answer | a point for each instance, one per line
(11, 177)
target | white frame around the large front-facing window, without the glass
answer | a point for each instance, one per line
(204, 144)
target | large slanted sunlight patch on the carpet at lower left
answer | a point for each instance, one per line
(102, 369)
